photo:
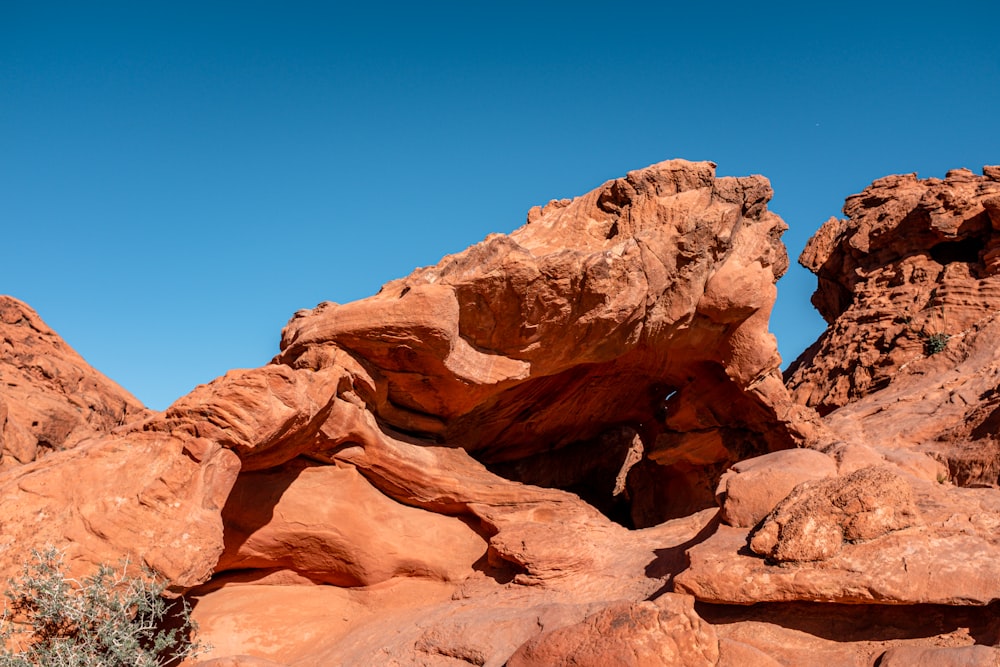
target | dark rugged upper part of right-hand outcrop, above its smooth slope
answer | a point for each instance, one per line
(910, 271)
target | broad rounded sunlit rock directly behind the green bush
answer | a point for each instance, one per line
(154, 499)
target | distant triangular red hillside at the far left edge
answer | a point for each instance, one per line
(50, 398)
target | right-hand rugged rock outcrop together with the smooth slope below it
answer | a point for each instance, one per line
(910, 283)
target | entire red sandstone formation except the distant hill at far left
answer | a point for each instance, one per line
(572, 445)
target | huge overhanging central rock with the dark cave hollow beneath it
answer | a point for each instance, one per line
(642, 305)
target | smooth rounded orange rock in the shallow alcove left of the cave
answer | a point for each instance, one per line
(328, 524)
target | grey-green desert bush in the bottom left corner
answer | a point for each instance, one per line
(108, 620)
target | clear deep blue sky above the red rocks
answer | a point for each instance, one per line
(177, 178)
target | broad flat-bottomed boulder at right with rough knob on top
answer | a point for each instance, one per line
(874, 536)
